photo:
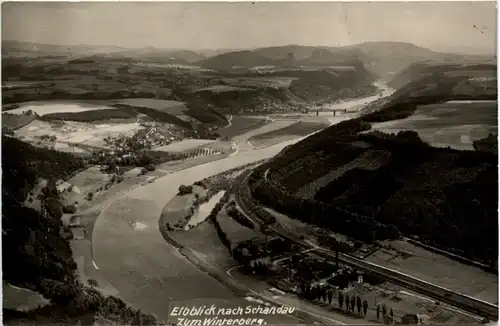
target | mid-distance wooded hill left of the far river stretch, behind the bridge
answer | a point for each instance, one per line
(305, 87)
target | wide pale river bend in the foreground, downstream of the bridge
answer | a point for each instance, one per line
(131, 253)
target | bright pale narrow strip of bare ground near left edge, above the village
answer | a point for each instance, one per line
(42, 108)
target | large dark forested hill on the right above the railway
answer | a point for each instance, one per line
(378, 186)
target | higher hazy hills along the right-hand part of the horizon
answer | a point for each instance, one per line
(381, 58)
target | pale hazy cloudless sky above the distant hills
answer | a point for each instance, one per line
(442, 26)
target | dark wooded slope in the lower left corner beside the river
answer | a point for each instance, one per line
(35, 254)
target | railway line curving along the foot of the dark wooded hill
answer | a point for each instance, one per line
(456, 299)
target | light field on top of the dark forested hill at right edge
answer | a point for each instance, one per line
(456, 124)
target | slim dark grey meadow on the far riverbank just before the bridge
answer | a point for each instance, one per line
(293, 131)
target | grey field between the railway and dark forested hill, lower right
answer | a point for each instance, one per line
(437, 269)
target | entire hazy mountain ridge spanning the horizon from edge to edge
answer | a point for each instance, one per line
(381, 58)
